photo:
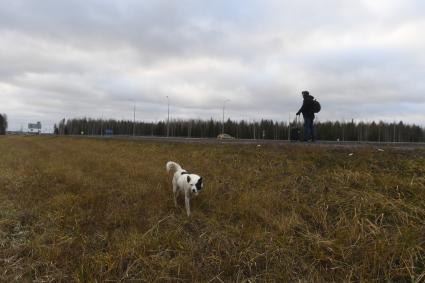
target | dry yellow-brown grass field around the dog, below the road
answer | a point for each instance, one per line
(88, 210)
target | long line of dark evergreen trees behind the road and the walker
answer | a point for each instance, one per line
(263, 129)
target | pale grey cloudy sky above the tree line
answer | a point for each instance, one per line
(362, 59)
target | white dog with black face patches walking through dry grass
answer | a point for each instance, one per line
(184, 183)
